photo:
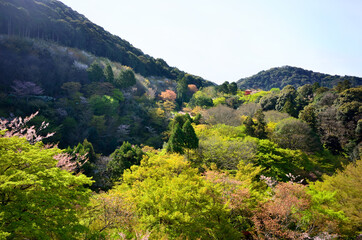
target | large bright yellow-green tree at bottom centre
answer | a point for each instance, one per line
(172, 198)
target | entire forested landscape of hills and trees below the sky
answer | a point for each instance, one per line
(95, 146)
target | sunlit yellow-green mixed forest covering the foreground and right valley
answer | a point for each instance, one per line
(278, 164)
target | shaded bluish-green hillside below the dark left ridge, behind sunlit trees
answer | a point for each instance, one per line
(82, 95)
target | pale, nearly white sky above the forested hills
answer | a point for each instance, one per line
(225, 40)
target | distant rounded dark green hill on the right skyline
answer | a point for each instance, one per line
(279, 77)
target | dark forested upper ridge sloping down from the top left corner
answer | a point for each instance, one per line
(51, 20)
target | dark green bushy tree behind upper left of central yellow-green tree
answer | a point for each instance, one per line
(123, 158)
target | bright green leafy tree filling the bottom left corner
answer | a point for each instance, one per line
(38, 199)
